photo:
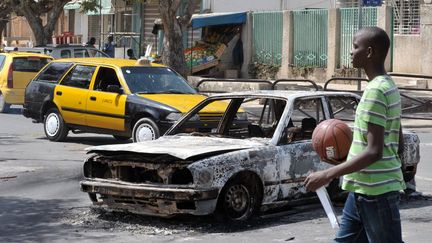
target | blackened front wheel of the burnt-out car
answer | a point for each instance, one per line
(238, 200)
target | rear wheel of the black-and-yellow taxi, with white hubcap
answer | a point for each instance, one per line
(54, 126)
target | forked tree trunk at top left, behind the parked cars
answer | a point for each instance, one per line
(34, 10)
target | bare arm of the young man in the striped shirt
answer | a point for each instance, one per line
(371, 154)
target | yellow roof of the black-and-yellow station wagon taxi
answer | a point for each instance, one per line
(107, 61)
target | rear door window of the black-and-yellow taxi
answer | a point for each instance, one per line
(79, 77)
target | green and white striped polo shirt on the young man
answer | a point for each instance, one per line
(380, 105)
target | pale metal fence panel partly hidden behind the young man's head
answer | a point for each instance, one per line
(349, 25)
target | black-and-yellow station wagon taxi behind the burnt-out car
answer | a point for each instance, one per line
(125, 98)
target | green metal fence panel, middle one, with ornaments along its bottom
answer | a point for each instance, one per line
(310, 38)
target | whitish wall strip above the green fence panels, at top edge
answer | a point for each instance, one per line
(260, 5)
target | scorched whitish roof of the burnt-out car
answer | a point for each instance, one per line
(285, 94)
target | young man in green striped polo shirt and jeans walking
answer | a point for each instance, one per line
(372, 172)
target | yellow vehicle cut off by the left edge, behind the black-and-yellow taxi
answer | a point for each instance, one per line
(16, 70)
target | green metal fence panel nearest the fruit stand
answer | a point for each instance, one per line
(267, 37)
